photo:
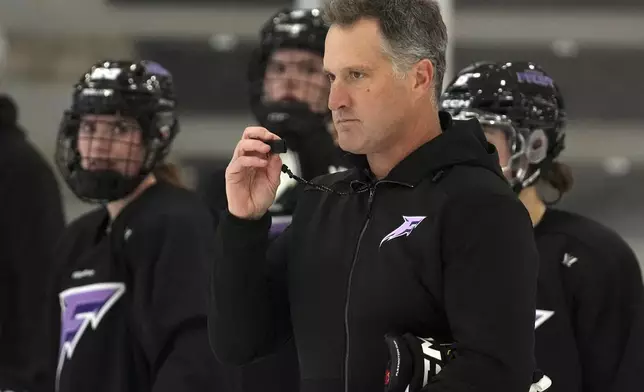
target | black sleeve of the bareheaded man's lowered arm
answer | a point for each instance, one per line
(490, 279)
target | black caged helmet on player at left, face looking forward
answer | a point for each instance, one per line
(136, 101)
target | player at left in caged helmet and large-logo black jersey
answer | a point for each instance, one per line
(132, 290)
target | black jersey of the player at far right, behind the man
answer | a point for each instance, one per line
(590, 307)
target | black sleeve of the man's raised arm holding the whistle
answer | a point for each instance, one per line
(249, 312)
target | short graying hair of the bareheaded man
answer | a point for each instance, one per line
(412, 30)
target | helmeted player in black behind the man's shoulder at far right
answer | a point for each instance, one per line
(589, 321)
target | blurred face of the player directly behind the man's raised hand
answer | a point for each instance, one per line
(295, 75)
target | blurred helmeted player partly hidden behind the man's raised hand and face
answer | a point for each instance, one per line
(289, 94)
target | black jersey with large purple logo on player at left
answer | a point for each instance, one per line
(133, 302)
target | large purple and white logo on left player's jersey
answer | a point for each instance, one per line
(82, 307)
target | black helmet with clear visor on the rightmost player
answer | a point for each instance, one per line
(521, 99)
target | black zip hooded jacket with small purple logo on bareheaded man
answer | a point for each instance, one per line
(441, 247)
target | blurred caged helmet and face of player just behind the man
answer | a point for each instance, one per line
(288, 88)
